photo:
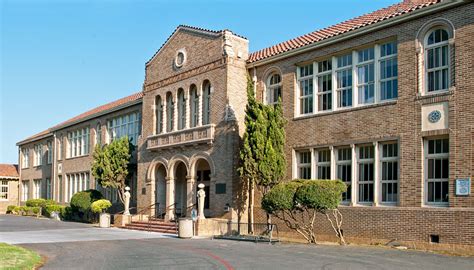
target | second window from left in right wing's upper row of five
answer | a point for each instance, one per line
(324, 78)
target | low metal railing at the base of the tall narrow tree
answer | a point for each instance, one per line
(262, 232)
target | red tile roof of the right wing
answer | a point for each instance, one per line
(341, 28)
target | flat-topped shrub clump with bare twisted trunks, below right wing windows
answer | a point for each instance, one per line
(298, 202)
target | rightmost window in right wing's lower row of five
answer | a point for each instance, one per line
(389, 175)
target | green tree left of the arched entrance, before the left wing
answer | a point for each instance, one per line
(110, 166)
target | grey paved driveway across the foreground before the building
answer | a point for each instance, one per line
(155, 251)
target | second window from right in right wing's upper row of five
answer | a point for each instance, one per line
(365, 76)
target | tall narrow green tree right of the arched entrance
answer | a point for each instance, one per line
(262, 154)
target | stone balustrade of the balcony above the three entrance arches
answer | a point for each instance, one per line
(196, 135)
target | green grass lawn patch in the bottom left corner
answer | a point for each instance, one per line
(14, 257)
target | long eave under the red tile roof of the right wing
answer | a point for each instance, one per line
(363, 30)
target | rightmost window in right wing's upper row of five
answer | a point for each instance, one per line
(388, 71)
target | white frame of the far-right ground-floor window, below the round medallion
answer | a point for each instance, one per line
(428, 156)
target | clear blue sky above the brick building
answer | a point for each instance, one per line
(61, 58)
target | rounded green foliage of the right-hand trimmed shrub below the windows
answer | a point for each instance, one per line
(320, 195)
